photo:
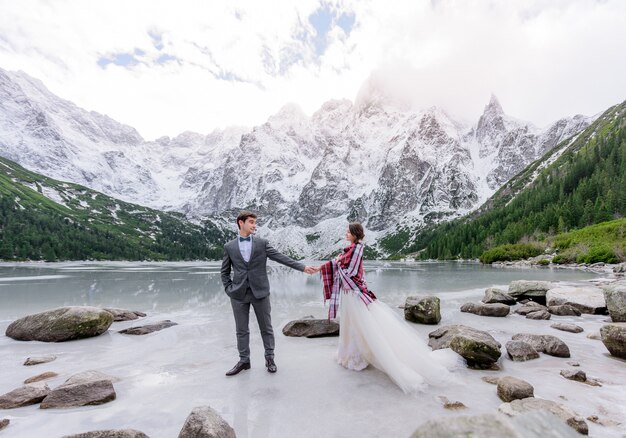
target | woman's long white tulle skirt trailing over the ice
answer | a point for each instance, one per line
(375, 334)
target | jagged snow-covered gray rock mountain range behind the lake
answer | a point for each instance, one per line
(378, 160)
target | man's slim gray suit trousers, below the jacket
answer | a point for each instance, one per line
(262, 310)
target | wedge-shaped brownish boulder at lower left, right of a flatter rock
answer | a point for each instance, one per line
(83, 389)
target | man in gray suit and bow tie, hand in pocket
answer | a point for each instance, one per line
(247, 256)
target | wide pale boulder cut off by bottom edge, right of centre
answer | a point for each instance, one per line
(531, 424)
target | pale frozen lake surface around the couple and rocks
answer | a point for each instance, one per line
(164, 375)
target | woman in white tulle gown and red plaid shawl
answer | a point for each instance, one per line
(370, 331)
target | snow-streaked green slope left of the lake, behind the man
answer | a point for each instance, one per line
(84, 224)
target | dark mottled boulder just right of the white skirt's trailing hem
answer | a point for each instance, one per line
(478, 348)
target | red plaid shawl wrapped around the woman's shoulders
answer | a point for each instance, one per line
(345, 273)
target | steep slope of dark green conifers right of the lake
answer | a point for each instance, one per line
(585, 185)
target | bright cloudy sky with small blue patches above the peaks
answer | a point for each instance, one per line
(165, 67)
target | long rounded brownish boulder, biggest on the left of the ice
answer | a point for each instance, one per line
(62, 324)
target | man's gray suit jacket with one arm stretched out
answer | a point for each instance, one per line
(253, 274)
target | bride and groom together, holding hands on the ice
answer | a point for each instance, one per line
(370, 331)
